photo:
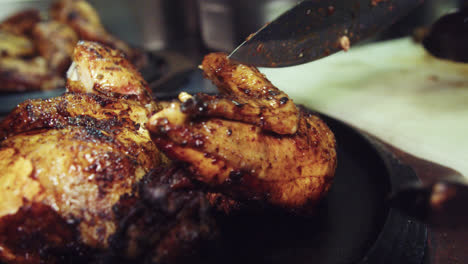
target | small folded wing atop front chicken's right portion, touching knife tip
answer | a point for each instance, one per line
(247, 96)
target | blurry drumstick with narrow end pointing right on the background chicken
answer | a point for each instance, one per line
(84, 19)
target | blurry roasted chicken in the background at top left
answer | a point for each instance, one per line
(35, 54)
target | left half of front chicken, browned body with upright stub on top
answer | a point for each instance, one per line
(74, 156)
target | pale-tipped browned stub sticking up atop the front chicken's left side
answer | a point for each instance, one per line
(101, 70)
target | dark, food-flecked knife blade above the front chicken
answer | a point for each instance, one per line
(315, 29)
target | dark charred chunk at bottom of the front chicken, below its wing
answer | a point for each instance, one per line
(170, 220)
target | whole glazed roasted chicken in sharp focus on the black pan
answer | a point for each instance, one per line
(105, 173)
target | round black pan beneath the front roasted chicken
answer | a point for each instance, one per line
(353, 224)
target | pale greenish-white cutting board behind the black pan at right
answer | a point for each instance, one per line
(393, 90)
